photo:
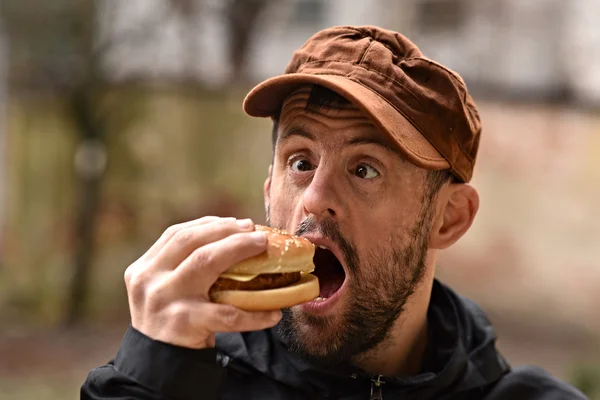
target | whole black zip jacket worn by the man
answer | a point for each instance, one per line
(461, 363)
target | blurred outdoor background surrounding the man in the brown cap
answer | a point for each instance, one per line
(120, 118)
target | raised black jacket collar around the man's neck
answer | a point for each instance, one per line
(461, 355)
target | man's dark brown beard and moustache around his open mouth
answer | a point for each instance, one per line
(380, 282)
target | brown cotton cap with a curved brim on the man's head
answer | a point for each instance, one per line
(422, 105)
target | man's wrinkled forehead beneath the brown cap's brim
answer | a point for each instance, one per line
(321, 119)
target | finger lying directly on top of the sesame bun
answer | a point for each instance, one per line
(202, 268)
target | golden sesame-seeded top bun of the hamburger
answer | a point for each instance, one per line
(285, 253)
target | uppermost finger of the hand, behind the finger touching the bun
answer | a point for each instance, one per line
(187, 239)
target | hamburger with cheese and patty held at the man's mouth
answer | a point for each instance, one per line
(278, 278)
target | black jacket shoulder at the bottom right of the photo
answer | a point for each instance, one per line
(533, 383)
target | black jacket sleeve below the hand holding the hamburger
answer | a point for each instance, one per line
(146, 369)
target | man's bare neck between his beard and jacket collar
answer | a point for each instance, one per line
(402, 353)
